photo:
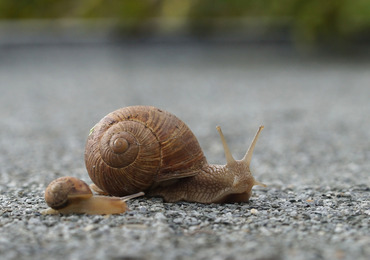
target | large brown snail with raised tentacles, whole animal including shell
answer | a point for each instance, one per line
(143, 148)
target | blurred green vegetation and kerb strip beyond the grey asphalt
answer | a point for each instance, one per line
(334, 23)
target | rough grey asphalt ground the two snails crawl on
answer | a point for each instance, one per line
(313, 153)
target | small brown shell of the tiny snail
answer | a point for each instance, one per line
(61, 190)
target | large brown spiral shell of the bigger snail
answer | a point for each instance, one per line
(133, 148)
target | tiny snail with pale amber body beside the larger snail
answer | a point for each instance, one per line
(71, 195)
